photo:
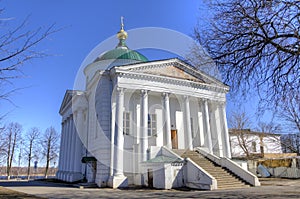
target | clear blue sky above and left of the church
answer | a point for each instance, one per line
(85, 24)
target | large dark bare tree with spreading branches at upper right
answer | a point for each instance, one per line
(256, 45)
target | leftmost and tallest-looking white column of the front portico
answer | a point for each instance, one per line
(119, 137)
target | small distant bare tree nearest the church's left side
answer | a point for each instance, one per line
(50, 146)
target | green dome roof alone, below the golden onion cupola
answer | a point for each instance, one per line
(122, 53)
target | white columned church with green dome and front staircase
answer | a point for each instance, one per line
(147, 123)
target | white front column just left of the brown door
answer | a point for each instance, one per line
(167, 120)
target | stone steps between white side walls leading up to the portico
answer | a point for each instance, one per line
(225, 179)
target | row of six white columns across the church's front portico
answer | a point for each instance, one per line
(213, 111)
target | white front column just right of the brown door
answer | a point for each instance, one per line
(187, 118)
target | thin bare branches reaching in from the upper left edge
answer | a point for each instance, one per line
(18, 45)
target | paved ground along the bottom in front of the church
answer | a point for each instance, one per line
(270, 189)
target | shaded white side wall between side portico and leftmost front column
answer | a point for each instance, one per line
(99, 126)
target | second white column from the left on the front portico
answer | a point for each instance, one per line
(144, 124)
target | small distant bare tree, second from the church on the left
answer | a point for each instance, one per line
(32, 137)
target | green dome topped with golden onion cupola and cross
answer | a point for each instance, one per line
(122, 51)
